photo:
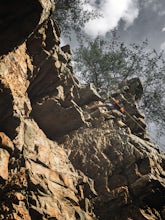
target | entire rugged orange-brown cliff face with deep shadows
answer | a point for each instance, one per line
(59, 159)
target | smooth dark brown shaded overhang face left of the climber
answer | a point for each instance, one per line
(55, 120)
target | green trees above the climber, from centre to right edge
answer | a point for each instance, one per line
(108, 63)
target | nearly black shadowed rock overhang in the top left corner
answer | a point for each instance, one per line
(17, 20)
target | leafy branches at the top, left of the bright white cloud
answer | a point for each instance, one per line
(73, 15)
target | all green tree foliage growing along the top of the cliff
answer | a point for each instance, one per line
(107, 63)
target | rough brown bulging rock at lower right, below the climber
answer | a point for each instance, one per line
(126, 169)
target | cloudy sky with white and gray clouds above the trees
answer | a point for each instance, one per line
(135, 20)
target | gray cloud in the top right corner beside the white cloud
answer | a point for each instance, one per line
(148, 25)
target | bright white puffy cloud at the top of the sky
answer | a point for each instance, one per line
(113, 11)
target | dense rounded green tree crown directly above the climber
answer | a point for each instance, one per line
(106, 63)
